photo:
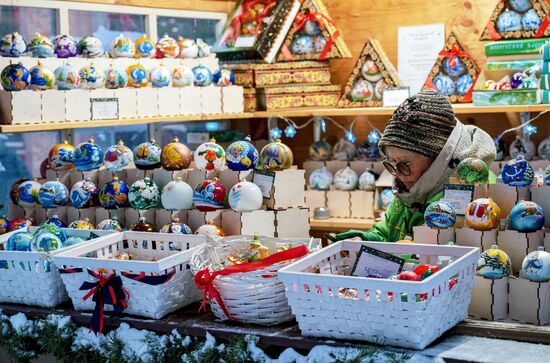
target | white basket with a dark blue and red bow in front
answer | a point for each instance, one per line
(155, 254)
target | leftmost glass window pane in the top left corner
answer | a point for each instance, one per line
(27, 21)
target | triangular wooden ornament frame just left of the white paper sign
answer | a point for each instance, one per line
(372, 50)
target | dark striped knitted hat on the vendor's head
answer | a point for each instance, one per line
(421, 124)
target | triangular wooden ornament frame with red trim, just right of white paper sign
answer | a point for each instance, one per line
(453, 45)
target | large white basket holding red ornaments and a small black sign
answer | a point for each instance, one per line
(329, 304)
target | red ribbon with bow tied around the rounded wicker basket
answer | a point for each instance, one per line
(205, 280)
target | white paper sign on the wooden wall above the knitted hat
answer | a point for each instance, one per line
(418, 48)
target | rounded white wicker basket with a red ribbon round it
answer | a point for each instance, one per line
(256, 297)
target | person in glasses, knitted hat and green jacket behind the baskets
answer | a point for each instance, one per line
(422, 144)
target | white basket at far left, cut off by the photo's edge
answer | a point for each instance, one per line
(29, 277)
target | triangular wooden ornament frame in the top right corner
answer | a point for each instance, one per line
(491, 31)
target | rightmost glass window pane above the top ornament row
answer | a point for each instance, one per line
(188, 28)
